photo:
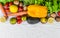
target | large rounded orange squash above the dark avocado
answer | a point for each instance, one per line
(37, 11)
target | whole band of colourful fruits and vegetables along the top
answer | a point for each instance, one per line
(32, 11)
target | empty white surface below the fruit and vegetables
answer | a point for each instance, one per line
(26, 30)
